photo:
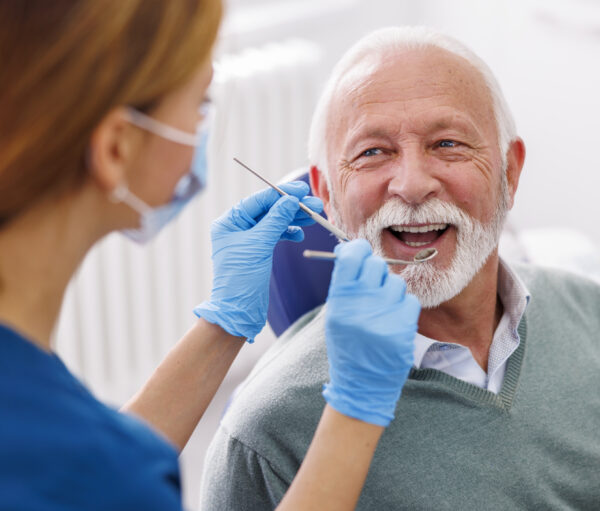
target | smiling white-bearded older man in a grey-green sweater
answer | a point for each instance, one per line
(413, 146)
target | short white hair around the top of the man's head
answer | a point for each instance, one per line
(386, 41)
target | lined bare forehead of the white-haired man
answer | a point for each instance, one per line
(416, 79)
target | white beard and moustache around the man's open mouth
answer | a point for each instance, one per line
(474, 244)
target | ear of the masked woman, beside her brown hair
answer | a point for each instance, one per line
(111, 149)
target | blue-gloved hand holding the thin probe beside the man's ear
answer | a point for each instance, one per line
(243, 240)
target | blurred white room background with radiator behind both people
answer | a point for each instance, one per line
(128, 305)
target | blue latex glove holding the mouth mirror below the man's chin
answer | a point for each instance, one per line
(370, 328)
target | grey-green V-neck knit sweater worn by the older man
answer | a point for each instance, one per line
(452, 445)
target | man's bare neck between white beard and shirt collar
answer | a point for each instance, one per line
(470, 318)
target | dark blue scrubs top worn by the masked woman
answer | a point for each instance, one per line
(61, 449)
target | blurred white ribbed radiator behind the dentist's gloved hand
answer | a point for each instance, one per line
(128, 304)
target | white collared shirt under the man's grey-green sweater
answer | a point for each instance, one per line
(457, 360)
